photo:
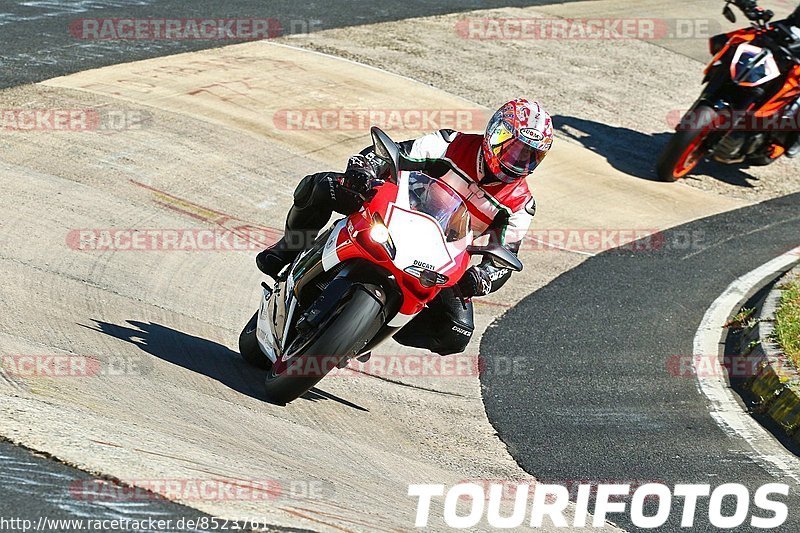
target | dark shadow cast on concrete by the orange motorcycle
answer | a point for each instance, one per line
(635, 153)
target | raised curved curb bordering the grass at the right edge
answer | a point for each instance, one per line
(777, 383)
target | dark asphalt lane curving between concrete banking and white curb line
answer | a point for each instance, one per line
(592, 354)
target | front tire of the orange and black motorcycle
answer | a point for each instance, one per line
(685, 148)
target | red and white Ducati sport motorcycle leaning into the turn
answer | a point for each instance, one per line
(364, 278)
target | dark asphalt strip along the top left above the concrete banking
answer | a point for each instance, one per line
(37, 43)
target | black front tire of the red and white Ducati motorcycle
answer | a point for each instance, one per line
(344, 336)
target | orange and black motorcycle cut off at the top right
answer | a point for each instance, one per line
(748, 111)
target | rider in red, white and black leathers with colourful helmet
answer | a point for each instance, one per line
(488, 171)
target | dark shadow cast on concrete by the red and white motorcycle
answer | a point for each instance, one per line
(201, 355)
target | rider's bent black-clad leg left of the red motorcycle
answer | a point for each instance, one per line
(315, 199)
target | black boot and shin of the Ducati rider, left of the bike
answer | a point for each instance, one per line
(302, 225)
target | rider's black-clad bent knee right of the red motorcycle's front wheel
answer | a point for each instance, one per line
(445, 327)
